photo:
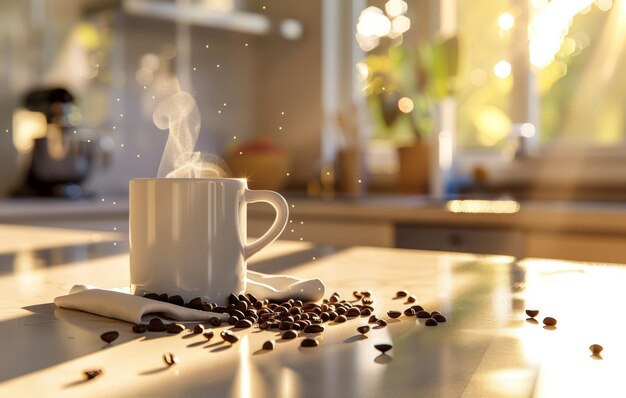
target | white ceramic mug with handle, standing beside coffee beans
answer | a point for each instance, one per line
(188, 235)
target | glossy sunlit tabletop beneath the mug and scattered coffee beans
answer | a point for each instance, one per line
(487, 347)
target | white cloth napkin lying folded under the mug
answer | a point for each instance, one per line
(120, 304)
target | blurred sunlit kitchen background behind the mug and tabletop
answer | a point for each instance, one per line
(481, 126)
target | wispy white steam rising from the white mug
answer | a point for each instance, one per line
(179, 114)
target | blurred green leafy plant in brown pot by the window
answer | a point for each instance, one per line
(402, 87)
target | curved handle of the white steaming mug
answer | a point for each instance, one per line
(282, 214)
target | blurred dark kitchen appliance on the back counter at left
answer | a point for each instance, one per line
(57, 152)
